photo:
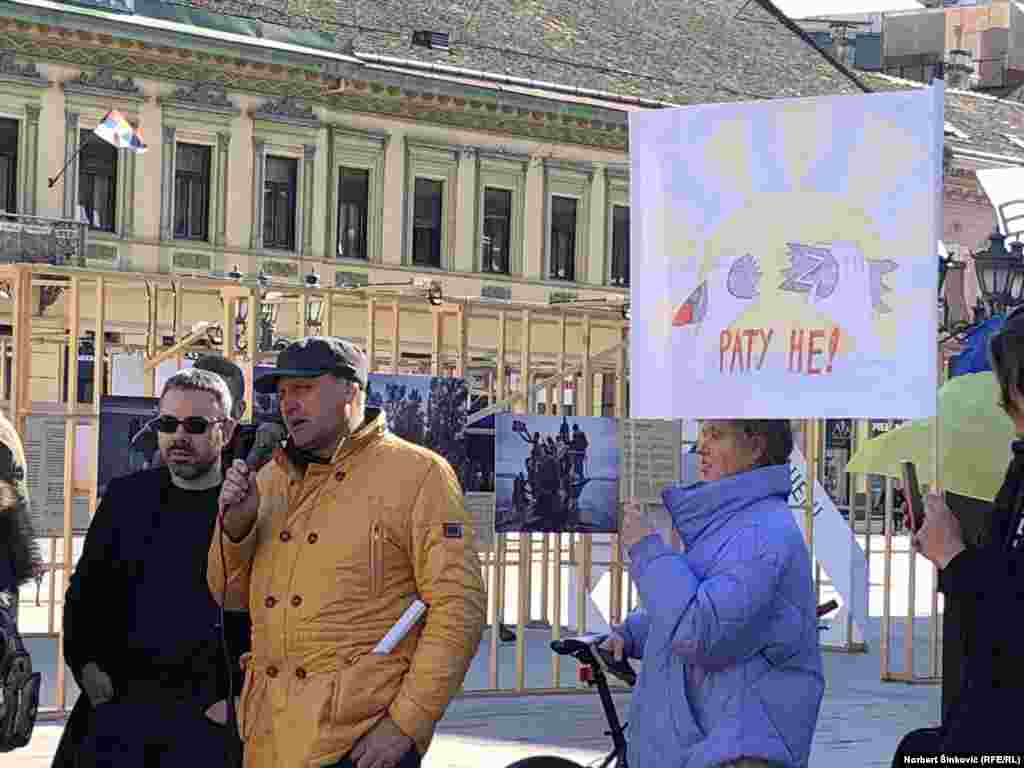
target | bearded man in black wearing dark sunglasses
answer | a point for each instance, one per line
(142, 631)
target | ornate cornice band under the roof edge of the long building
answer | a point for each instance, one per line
(163, 64)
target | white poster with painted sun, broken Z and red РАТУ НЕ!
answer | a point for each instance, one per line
(785, 259)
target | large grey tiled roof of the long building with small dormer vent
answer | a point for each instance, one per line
(685, 53)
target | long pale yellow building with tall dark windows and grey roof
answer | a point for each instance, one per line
(270, 157)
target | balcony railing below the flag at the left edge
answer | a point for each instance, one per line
(41, 241)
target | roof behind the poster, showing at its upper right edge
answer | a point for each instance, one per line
(976, 123)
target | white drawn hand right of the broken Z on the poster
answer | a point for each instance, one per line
(849, 306)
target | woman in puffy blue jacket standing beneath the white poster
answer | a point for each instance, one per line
(728, 632)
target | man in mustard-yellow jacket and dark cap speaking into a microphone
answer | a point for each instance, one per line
(327, 546)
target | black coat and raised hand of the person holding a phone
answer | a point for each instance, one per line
(988, 585)
